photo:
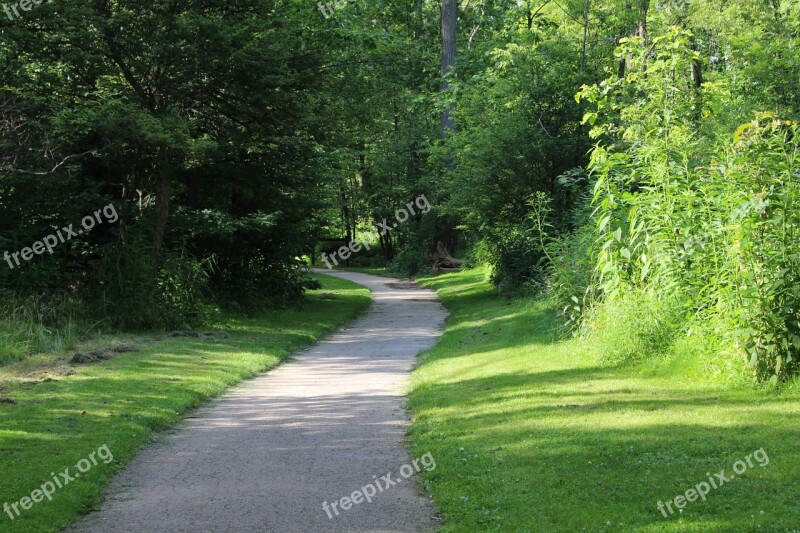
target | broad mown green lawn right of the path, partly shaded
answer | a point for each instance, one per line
(531, 433)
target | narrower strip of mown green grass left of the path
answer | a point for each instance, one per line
(63, 413)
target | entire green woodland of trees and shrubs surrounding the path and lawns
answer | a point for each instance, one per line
(631, 166)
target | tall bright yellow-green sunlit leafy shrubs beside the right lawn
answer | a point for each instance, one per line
(693, 226)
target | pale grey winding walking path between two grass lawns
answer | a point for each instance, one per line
(265, 456)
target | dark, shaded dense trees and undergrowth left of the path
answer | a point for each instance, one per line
(190, 118)
